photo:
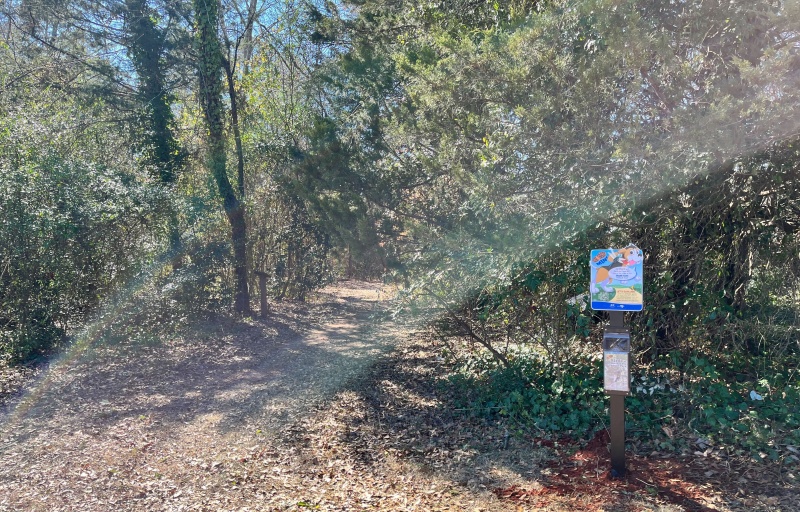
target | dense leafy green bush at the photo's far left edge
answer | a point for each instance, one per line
(69, 229)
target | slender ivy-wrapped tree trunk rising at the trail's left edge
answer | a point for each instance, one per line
(210, 63)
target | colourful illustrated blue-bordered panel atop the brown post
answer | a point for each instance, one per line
(617, 279)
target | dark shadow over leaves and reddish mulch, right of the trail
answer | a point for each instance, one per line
(404, 409)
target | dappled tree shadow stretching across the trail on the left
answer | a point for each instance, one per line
(233, 369)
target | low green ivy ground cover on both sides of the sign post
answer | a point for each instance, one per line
(679, 402)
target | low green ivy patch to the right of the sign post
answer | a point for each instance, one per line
(710, 396)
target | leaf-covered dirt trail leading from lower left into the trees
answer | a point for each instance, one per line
(173, 425)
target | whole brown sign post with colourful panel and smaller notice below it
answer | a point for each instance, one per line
(616, 286)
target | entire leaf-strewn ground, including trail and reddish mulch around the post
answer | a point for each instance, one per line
(320, 407)
